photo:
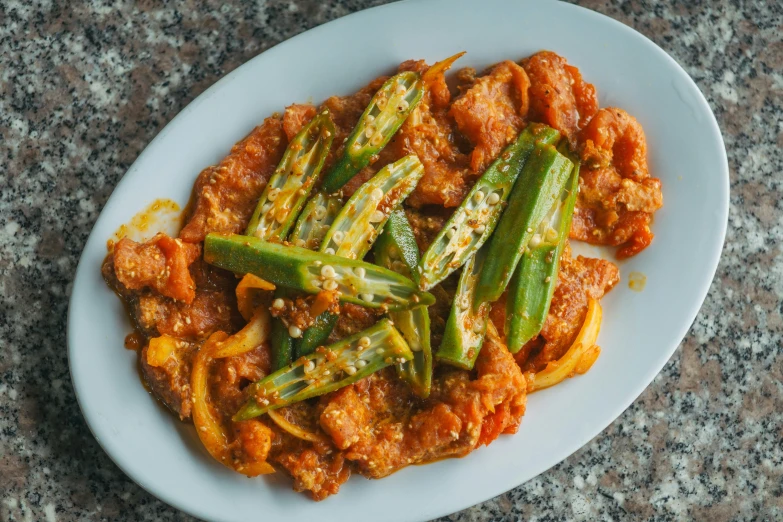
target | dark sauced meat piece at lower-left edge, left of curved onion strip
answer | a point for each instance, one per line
(170, 383)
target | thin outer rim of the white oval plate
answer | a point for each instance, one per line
(653, 370)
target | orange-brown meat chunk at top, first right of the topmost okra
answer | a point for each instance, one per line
(492, 111)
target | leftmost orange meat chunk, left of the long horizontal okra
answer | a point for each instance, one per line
(160, 263)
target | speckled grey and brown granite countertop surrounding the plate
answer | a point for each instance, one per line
(85, 87)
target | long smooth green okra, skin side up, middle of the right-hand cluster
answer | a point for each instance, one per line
(538, 187)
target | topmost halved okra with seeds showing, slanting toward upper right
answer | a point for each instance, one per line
(387, 111)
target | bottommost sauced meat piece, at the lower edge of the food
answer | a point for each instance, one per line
(319, 470)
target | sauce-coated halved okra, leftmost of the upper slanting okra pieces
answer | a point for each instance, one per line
(289, 186)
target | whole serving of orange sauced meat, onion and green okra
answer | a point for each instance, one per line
(381, 280)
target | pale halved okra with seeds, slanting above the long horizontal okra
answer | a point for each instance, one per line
(362, 218)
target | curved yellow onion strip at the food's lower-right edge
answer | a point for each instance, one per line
(567, 365)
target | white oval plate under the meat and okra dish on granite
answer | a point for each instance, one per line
(640, 330)
